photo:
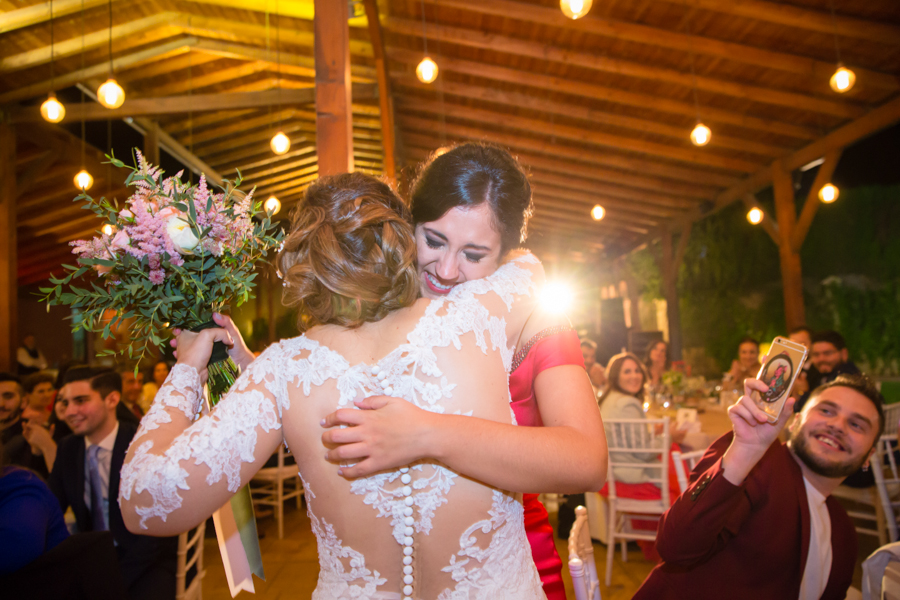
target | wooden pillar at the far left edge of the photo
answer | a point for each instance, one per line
(9, 289)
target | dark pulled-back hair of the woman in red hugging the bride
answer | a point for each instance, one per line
(469, 175)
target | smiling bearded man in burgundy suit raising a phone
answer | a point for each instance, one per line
(758, 520)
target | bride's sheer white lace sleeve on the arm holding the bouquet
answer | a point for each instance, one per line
(180, 466)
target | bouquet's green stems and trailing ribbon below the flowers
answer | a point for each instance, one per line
(235, 522)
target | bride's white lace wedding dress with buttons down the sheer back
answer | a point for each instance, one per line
(420, 532)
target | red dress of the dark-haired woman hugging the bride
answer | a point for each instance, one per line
(549, 348)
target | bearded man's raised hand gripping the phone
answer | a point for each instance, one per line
(753, 433)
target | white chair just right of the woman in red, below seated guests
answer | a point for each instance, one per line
(627, 439)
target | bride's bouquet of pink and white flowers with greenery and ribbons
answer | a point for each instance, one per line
(173, 255)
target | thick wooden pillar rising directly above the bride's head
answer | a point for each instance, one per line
(334, 120)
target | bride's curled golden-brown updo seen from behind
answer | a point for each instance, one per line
(350, 256)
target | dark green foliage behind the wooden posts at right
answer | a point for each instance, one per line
(730, 282)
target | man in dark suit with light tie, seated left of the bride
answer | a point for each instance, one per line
(85, 476)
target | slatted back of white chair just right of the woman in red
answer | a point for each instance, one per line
(639, 443)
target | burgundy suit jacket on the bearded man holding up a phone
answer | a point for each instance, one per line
(749, 541)
